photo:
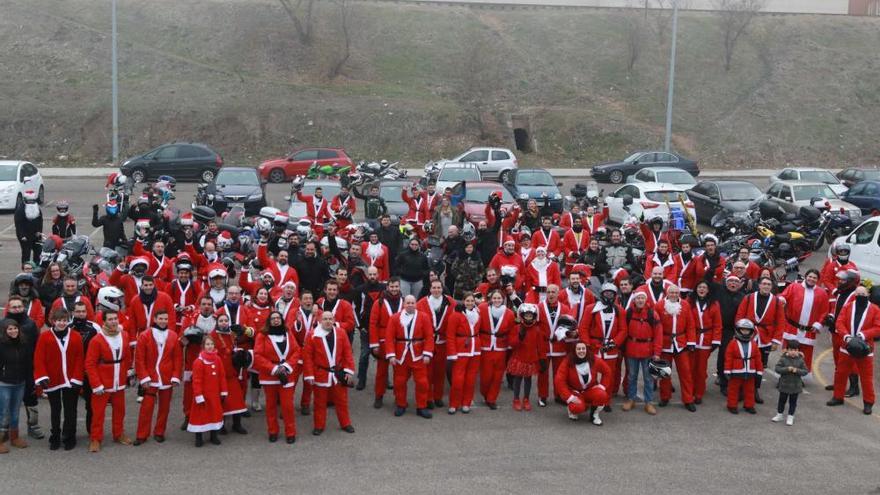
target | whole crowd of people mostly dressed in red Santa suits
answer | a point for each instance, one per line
(521, 297)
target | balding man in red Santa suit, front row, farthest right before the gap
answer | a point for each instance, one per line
(328, 365)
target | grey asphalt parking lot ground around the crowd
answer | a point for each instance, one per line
(710, 451)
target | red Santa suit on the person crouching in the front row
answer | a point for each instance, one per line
(583, 385)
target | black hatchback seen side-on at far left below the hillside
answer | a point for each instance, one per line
(193, 161)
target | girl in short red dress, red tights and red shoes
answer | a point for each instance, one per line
(527, 355)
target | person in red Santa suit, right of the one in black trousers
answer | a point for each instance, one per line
(108, 361)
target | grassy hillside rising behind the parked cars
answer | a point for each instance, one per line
(427, 81)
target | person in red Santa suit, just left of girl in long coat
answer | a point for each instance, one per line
(158, 365)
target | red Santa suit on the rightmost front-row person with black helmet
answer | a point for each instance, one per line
(855, 321)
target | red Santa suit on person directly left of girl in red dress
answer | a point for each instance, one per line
(496, 325)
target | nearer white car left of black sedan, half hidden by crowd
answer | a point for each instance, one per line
(649, 198)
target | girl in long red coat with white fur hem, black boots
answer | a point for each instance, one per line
(209, 391)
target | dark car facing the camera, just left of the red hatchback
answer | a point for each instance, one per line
(237, 186)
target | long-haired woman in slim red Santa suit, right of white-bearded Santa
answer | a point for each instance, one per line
(707, 323)
